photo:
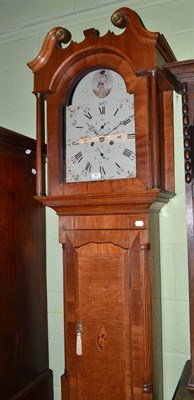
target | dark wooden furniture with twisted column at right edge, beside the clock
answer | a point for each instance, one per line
(183, 74)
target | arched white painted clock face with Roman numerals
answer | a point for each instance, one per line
(100, 129)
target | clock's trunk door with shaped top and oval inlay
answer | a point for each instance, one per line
(103, 308)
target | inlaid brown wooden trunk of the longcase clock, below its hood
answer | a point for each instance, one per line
(104, 272)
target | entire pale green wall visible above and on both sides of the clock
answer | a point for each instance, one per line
(23, 26)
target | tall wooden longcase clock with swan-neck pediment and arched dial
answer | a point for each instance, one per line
(110, 161)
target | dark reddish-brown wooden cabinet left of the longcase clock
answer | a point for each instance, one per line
(24, 372)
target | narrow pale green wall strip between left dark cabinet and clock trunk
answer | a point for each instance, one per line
(55, 301)
